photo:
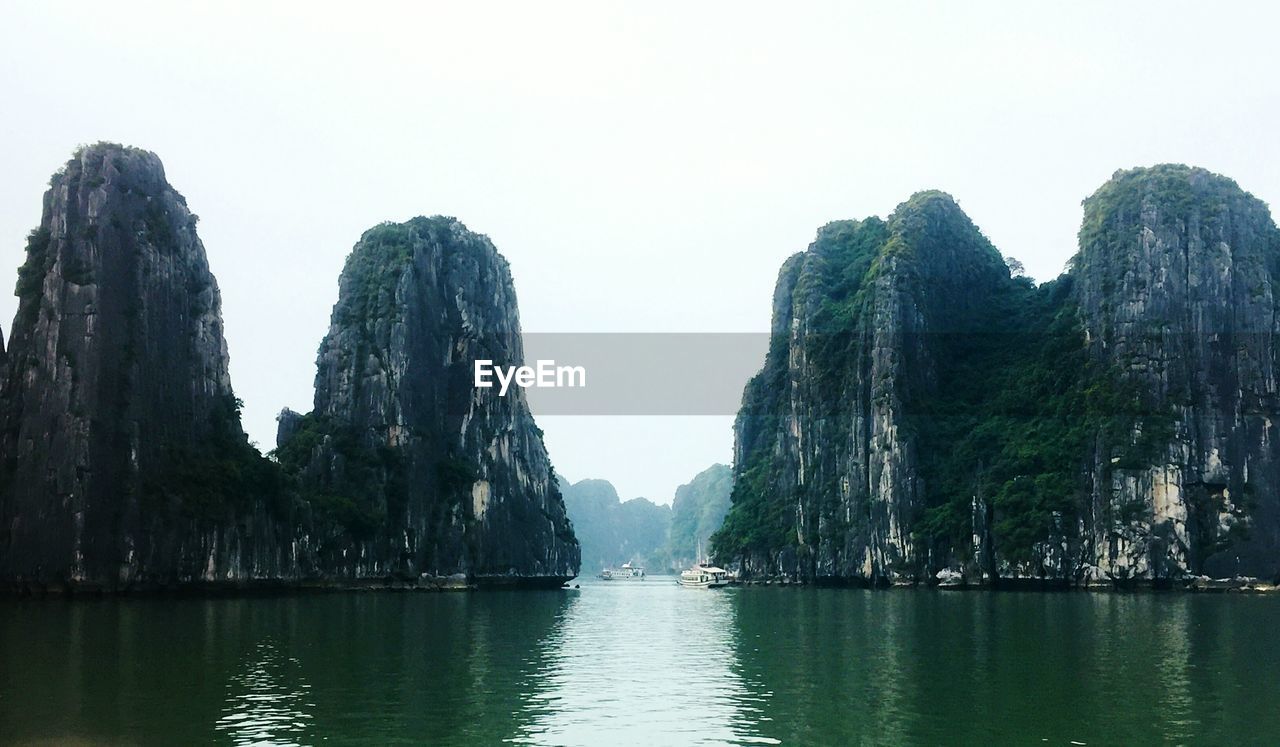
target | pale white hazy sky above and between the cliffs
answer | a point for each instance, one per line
(644, 167)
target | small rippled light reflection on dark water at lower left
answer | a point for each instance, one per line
(267, 703)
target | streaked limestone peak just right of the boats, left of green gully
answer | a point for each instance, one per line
(829, 479)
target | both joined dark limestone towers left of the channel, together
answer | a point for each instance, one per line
(124, 464)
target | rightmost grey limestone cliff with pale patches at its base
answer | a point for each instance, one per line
(1177, 287)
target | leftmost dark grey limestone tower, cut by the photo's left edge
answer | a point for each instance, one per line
(124, 459)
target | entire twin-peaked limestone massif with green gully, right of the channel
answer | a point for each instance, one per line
(924, 413)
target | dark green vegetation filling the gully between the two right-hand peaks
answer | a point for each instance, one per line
(1013, 420)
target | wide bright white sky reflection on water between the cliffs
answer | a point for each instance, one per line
(643, 663)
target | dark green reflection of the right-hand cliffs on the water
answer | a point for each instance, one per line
(930, 667)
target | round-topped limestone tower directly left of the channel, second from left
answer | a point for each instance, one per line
(418, 470)
